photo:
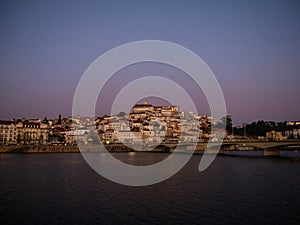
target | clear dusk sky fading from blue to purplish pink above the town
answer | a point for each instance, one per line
(252, 47)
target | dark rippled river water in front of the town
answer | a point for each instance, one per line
(62, 189)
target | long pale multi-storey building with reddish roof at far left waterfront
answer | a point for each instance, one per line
(23, 132)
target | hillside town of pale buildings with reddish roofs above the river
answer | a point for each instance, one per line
(146, 123)
